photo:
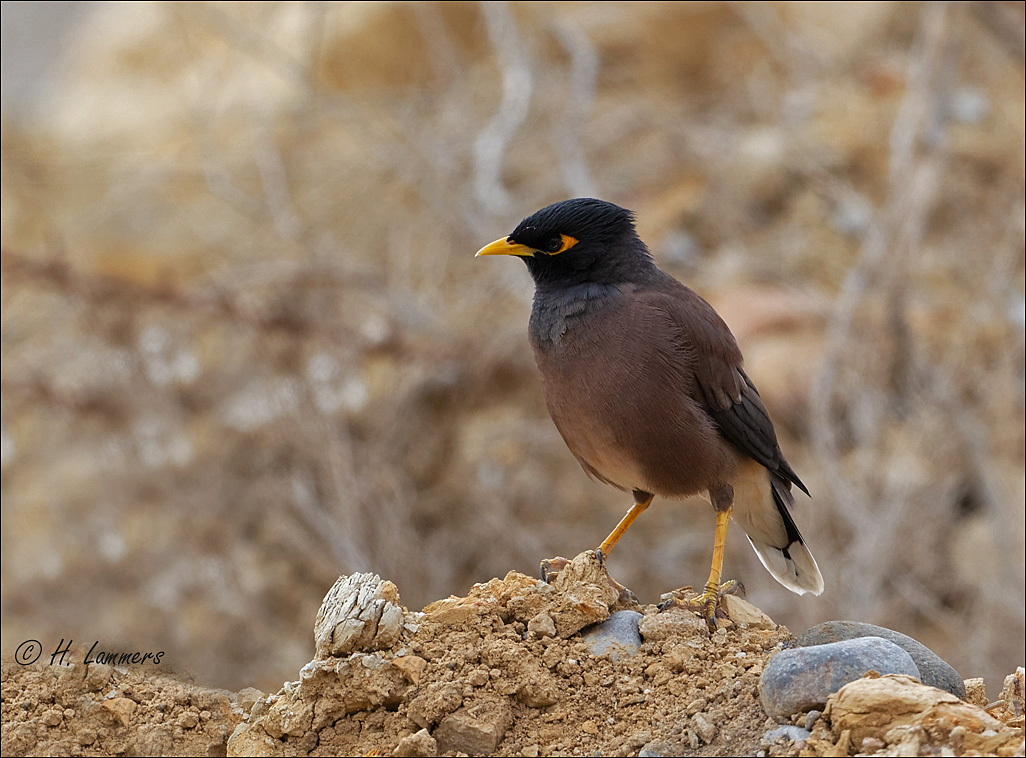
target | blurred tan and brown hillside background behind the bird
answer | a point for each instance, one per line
(247, 347)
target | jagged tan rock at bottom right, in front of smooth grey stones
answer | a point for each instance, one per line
(903, 712)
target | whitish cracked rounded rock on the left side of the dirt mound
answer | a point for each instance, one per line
(360, 613)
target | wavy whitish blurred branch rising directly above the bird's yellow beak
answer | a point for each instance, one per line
(490, 147)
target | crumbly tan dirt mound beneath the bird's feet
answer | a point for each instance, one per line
(505, 670)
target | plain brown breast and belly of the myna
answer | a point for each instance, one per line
(620, 386)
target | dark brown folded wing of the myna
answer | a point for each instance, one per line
(722, 386)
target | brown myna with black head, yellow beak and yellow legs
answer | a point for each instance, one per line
(646, 384)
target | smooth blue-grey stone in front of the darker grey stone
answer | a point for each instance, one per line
(802, 679)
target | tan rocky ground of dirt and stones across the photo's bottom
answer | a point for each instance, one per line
(518, 667)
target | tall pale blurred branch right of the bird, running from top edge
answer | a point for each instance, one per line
(871, 499)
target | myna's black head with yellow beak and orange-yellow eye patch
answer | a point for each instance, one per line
(577, 242)
